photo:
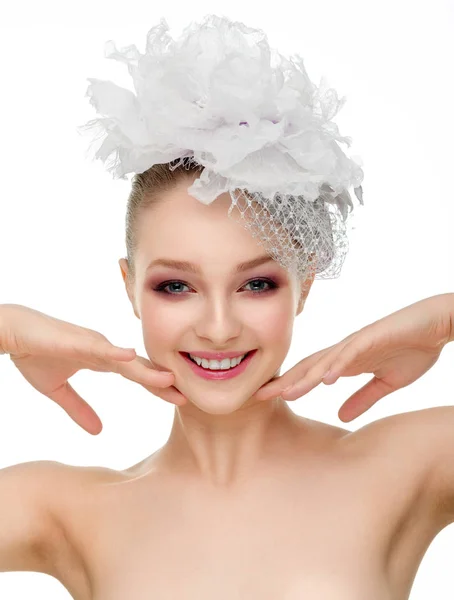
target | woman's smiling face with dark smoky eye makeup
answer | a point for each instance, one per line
(215, 307)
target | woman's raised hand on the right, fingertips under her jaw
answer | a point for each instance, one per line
(397, 349)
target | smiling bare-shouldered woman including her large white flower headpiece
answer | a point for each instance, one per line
(245, 500)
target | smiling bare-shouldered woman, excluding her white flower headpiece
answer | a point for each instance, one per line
(246, 499)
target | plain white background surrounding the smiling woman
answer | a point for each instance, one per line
(62, 216)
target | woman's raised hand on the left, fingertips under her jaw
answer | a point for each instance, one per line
(48, 351)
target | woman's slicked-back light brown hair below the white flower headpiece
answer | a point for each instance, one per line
(146, 190)
